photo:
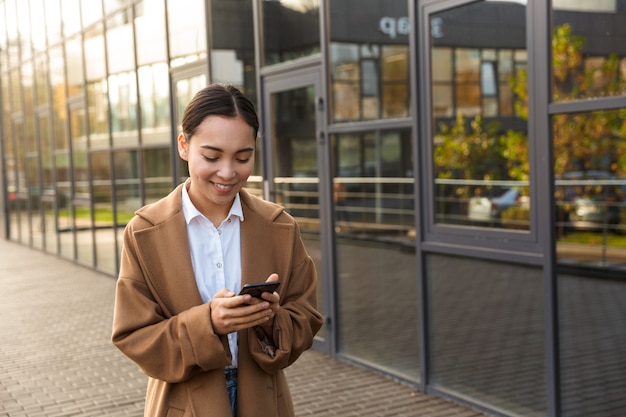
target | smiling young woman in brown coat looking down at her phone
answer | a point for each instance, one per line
(207, 350)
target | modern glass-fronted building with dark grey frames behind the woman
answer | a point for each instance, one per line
(458, 168)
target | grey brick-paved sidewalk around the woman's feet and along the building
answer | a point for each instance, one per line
(56, 358)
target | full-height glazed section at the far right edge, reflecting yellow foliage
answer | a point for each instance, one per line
(589, 66)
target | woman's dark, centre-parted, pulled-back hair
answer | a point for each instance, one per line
(218, 100)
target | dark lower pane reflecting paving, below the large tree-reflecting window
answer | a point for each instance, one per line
(486, 332)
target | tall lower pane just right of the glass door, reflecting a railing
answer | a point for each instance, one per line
(374, 217)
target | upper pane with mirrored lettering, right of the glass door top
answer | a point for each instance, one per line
(369, 61)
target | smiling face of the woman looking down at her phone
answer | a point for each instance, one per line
(220, 156)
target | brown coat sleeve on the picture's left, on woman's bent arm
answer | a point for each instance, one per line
(166, 345)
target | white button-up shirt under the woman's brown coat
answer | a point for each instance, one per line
(215, 254)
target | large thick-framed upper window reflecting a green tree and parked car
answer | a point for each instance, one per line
(480, 147)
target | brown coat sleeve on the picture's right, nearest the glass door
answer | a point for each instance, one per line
(297, 321)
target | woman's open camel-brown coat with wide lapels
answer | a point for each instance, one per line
(161, 323)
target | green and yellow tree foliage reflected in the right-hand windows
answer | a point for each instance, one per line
(582, 141)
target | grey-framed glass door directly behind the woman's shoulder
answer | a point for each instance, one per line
(296, 169)
